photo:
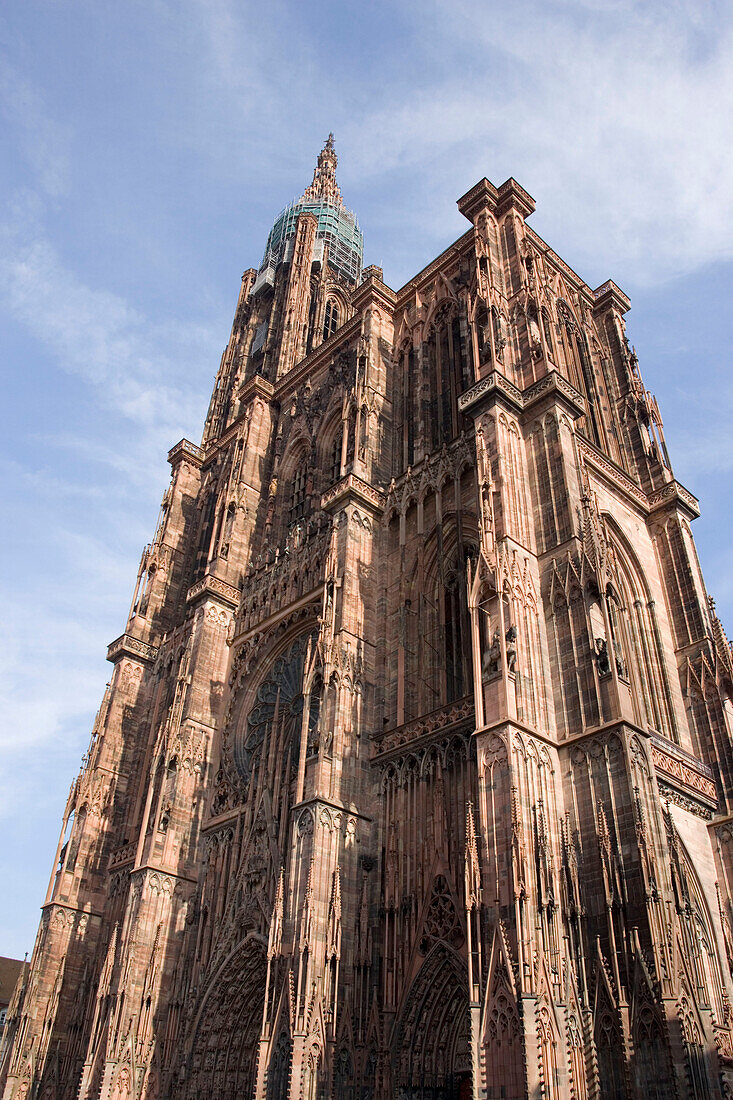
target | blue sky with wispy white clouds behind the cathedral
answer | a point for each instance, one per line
(146, 151)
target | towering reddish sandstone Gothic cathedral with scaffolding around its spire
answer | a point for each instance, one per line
(414, 776)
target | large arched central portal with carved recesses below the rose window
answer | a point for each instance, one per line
(225, 1049)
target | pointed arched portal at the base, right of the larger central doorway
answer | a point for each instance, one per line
(432, 1053)
